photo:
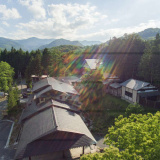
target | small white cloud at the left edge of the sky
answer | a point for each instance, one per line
(7, 13)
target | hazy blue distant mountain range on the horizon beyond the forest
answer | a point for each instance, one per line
(34, 43)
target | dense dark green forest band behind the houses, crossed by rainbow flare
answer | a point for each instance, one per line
(127, 57)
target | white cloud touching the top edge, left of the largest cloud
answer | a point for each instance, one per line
(35, 7)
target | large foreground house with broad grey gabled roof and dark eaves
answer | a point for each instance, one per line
(52, 130)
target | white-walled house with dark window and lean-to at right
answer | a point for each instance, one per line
(133, 90)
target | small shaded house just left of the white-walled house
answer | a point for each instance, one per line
(115, 89)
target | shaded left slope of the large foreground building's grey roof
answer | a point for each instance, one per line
(35, 127)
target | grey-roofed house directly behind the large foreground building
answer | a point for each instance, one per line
(51, 88)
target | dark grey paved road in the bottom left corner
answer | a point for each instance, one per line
(5, 153)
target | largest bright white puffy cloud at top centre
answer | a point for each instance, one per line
(75, 16)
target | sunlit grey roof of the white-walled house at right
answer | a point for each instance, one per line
(134, 84)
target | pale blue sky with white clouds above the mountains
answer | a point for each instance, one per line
(94, 20)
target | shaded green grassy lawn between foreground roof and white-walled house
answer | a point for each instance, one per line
(103, 111)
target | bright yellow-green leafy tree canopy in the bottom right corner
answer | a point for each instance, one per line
(136, 137)
